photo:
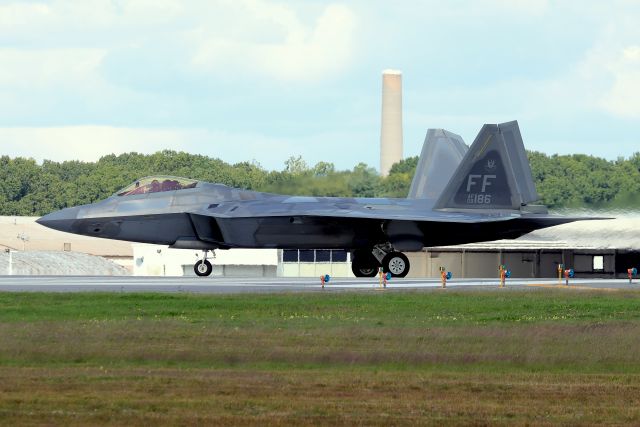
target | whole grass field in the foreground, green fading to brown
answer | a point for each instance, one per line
(536, 357)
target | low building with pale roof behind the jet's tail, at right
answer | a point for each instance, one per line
(604, 248)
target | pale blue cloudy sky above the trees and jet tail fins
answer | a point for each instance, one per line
(260, 80)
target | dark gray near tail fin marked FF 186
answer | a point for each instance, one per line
(494, 173)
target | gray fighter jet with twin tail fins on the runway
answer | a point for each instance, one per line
(458, 195)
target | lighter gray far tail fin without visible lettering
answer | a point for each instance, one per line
(441, 155)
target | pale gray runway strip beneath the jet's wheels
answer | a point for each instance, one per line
(226, 285)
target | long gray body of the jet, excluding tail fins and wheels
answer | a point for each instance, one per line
(210, 216)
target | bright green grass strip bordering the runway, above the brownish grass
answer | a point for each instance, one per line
(316, 310)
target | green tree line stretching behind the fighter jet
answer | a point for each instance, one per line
(29, 188)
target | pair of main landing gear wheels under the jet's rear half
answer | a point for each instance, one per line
(366, 263)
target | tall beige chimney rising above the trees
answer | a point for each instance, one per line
(391, 131)
